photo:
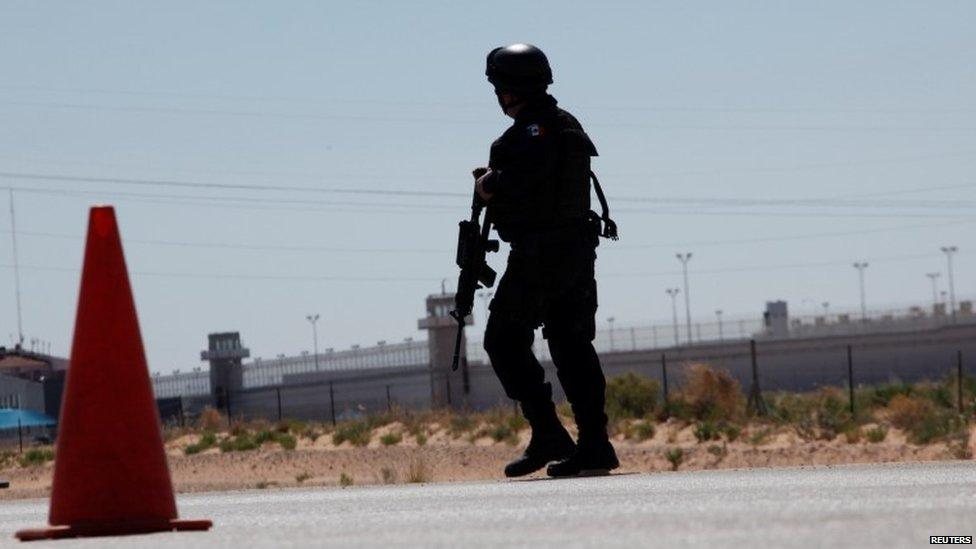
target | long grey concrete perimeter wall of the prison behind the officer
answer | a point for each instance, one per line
(792, 364)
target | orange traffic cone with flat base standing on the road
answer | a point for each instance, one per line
(110, 471)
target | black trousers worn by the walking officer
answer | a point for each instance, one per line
(549, 284)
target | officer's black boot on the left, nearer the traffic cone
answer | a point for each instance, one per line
(549, 442)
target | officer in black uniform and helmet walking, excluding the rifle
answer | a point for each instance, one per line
(537, 188)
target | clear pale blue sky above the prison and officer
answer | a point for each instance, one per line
(705, 114)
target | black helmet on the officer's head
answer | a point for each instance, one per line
(519, 68)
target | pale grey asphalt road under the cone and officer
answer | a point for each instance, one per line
(864, 506)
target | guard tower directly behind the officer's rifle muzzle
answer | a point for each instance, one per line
(446, 387)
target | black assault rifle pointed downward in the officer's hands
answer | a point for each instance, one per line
(473, 244)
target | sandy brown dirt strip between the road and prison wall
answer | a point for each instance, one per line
(444, 457)
